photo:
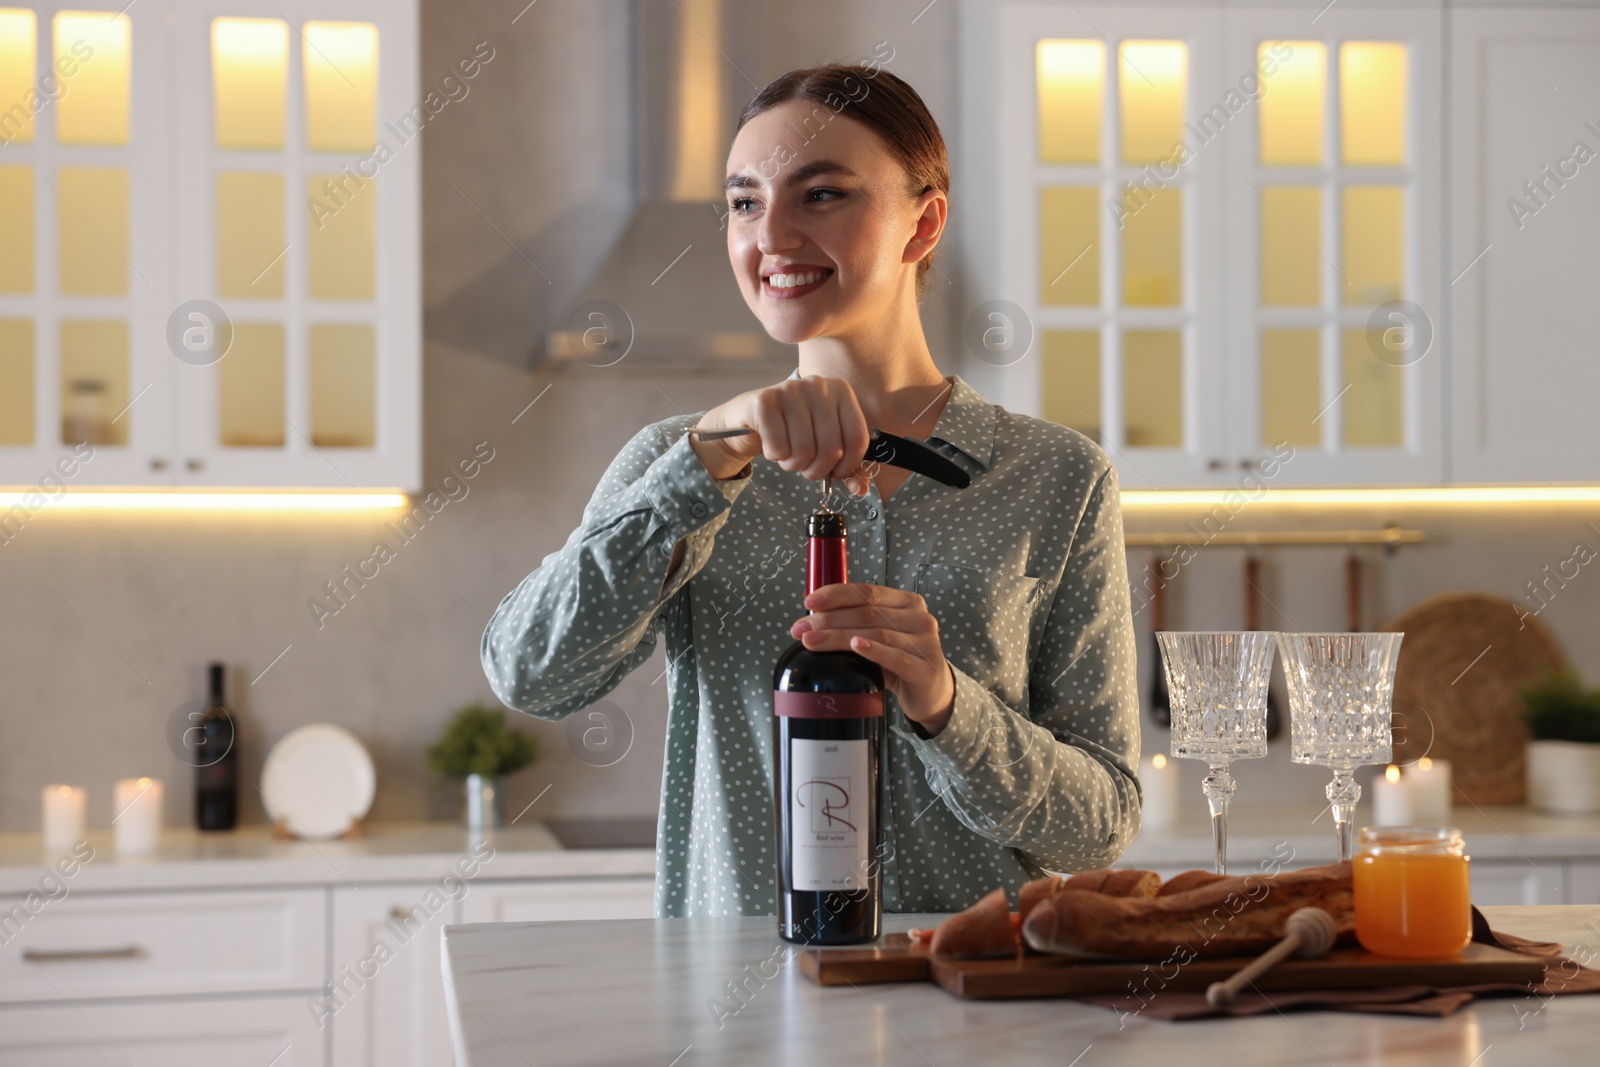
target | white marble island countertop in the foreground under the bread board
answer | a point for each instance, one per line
(649, 993)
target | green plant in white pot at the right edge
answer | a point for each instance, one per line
(1564, 757)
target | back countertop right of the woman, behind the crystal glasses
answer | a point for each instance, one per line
(1260, 833)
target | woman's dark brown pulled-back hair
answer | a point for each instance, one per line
(882, 103)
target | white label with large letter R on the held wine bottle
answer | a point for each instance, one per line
(830, 812)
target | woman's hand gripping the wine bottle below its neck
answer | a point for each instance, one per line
(894, 629)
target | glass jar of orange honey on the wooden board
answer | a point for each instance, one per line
(1412, 892)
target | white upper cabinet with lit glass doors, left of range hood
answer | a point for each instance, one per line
(210, 260)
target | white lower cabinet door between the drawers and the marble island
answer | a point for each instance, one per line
(394, 1018)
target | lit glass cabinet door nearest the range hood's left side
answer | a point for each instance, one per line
(302, 246)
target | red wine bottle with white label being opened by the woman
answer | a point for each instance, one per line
(828, 738)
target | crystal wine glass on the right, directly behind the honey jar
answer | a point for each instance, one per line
(1342, 698)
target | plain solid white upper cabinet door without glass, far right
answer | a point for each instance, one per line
(1526, 201)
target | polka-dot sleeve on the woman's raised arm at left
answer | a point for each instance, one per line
(580, 623)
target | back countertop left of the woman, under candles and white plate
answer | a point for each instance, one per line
(385, 853)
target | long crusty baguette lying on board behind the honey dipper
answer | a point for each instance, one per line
(1222, 919)
